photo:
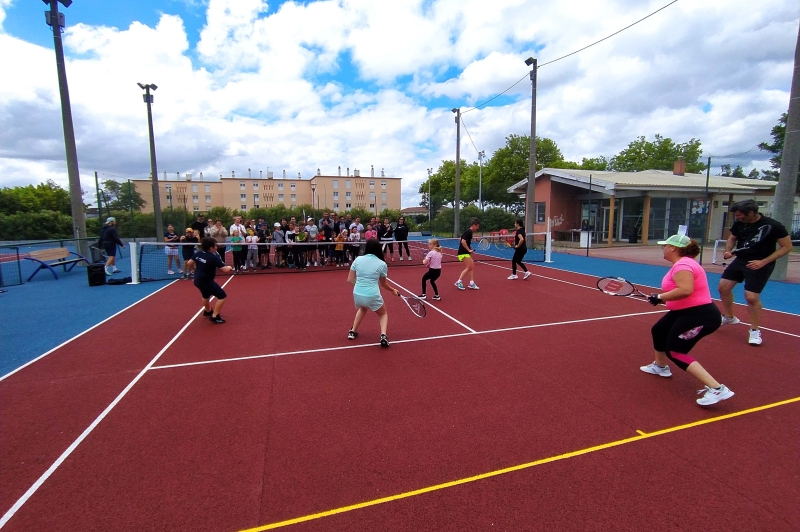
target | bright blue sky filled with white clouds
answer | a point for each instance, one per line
(306, 85)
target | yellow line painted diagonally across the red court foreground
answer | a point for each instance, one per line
(490, 474)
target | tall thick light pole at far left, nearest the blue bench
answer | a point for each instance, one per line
(57, 21)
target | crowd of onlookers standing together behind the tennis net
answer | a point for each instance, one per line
(332, 240)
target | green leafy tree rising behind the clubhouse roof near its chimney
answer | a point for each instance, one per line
(660, 154)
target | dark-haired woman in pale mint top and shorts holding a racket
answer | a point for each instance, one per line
(368, 275)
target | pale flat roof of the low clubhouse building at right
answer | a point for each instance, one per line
(648, 180)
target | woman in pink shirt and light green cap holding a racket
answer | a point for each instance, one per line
(691, 316)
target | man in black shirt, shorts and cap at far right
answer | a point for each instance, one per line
(752, 242)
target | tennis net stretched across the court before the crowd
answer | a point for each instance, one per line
(157, 261)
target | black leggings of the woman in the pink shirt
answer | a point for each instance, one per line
(678, 331)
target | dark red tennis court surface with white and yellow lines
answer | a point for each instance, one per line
(517, 407)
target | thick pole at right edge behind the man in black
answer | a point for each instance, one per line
(790, 163)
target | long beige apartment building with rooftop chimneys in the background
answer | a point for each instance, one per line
(337, 193)
